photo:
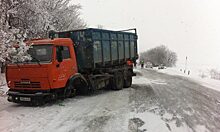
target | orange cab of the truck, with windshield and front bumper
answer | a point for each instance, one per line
(45, 72)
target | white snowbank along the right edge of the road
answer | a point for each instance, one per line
(207, 82)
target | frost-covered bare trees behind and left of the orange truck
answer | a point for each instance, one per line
(27, 19)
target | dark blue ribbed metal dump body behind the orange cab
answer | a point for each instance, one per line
(97, 48)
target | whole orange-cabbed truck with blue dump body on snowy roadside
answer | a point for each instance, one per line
(71, 62)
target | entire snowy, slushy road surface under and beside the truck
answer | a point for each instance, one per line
(155, 102)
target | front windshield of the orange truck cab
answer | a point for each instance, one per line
(41, 53)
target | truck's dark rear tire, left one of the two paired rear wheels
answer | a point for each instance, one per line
(117, 81)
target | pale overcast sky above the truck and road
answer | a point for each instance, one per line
(188, 27)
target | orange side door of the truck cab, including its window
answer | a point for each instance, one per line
(65, 68)
